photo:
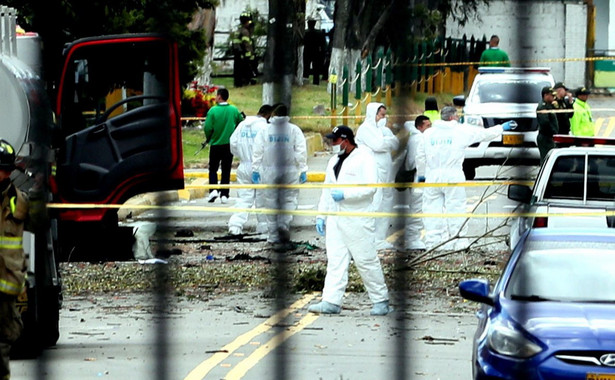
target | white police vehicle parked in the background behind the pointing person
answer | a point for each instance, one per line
(500, 94)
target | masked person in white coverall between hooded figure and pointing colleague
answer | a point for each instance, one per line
(414, 226)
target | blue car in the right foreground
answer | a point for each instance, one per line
(551, 314)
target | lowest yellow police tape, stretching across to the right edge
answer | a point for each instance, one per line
(328, 213)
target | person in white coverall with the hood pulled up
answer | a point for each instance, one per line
(374, 135)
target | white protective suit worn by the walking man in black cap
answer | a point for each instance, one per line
(349, 237)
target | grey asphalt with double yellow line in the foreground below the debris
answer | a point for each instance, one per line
(241, 337)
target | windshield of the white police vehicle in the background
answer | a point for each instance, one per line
(511, 91)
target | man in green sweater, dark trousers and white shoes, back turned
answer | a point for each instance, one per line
(220, 123)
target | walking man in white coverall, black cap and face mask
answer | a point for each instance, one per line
(349, 237)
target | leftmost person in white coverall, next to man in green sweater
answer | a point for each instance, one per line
(242, 141)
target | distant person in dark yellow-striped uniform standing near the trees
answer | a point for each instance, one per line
(243, 50)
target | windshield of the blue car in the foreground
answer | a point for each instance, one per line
(573, 274)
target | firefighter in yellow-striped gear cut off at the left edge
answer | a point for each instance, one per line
(17, 215)
